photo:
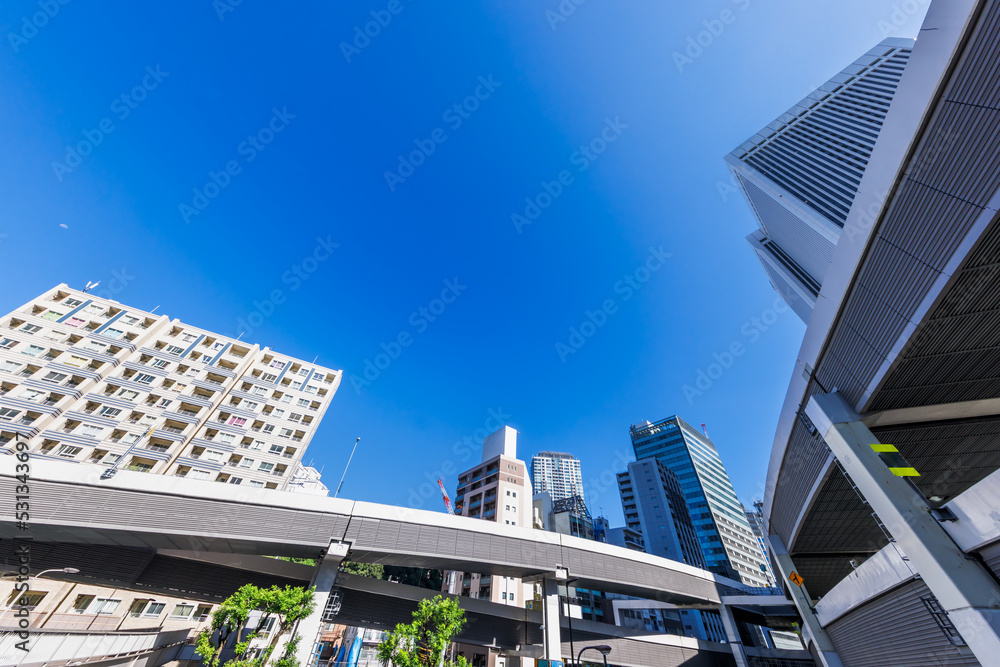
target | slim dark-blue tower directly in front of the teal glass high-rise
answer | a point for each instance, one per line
(654, 505)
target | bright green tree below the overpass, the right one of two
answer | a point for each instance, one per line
(423, 642)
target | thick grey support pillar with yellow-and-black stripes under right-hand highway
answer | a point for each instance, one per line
(963, 587)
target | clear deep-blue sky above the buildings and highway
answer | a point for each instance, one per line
(228, 142)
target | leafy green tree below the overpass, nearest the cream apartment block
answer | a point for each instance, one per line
(285, 605)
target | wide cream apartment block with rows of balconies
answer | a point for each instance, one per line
(92, 381)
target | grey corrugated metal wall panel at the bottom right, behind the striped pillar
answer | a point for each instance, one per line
(907, 634)
